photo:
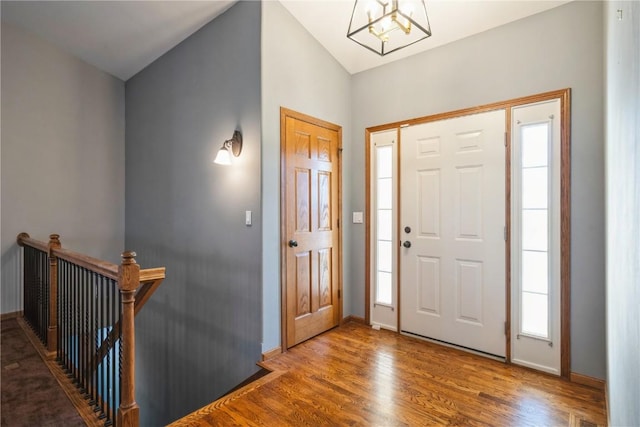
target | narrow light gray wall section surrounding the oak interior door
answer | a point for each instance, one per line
(297, 73)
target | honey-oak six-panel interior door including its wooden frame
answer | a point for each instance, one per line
(310, 232)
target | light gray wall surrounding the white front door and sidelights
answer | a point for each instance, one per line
(556, 49)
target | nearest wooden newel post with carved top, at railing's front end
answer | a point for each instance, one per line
(128, 282)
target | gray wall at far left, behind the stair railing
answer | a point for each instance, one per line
(62, 154)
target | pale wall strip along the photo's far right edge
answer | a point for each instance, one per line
(623, 211)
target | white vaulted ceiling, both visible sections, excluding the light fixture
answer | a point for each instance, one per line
(123, 37)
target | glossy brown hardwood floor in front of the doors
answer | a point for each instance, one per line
(354, 375)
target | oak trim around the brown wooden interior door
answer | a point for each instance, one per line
(284, 113)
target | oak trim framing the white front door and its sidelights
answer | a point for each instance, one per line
(565, 208)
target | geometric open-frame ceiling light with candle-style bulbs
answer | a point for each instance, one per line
(385, 26)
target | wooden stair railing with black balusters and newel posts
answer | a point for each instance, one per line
(83, 311)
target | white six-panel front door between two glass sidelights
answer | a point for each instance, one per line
(452, 225)
